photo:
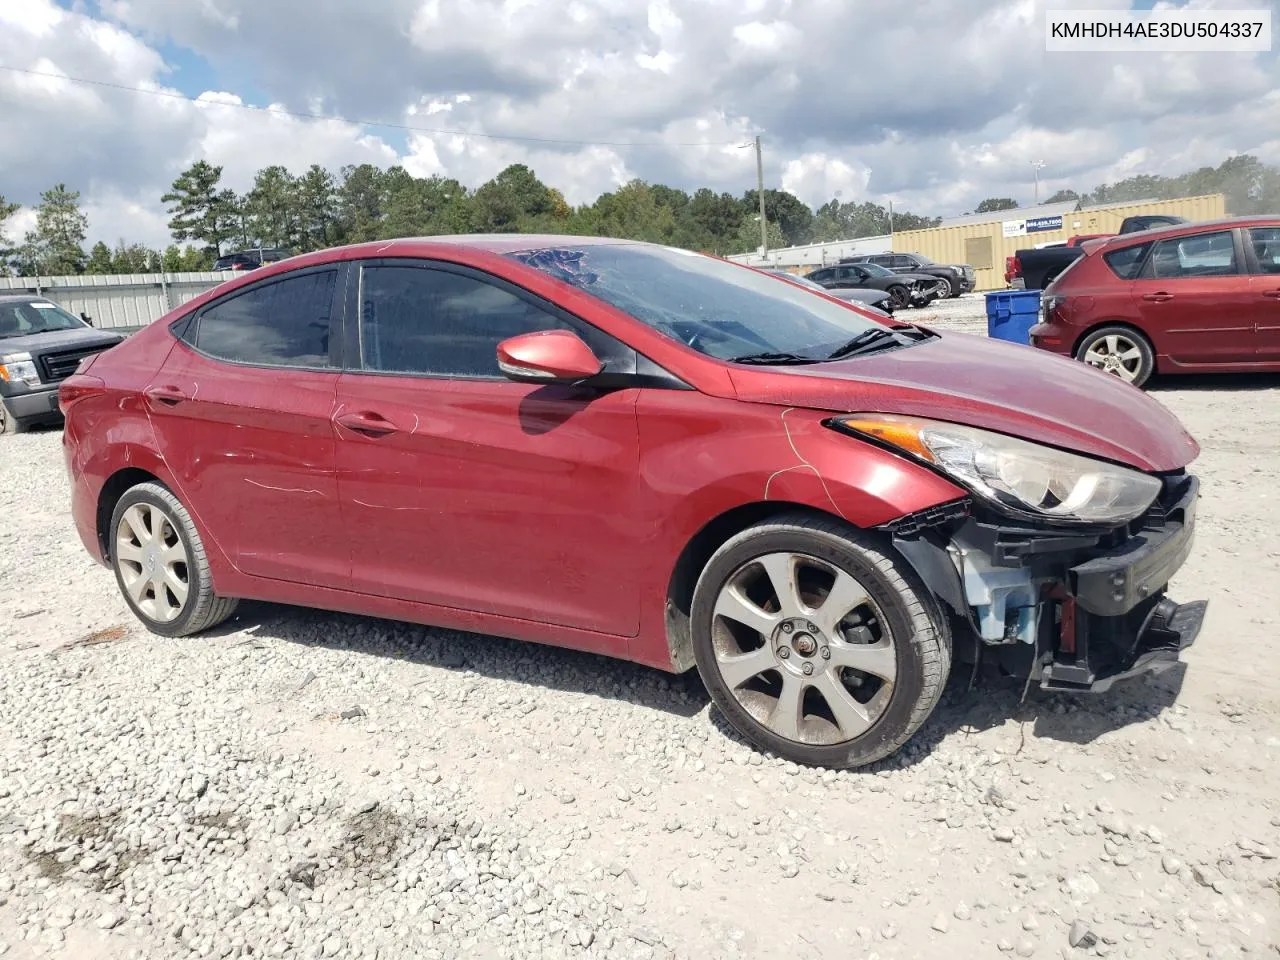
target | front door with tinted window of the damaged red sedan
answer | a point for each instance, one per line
(465, 490)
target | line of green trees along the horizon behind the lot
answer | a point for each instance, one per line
(319, 209)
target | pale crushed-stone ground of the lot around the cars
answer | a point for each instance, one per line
(314, 785)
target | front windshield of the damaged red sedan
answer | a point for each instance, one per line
(714, 307)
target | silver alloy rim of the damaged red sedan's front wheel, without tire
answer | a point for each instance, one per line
(804, 650)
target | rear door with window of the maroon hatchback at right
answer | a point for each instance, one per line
(1194, 300)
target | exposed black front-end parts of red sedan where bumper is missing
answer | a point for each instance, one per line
(1073, 610)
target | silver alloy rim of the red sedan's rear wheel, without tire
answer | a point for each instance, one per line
(153, 563)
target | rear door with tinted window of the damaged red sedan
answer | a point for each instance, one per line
(243, 412)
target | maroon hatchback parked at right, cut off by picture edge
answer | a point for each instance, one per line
(1192, 299)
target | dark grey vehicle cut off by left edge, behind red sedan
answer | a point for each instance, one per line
(40, 346)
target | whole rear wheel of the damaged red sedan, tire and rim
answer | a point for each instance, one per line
(161, 564)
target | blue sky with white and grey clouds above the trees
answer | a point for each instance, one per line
(935, 108)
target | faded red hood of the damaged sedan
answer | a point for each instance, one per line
(991, 385)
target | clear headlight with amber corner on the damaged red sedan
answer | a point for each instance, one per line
(1016, 476)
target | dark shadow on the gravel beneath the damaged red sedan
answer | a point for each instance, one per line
(968, 707)
